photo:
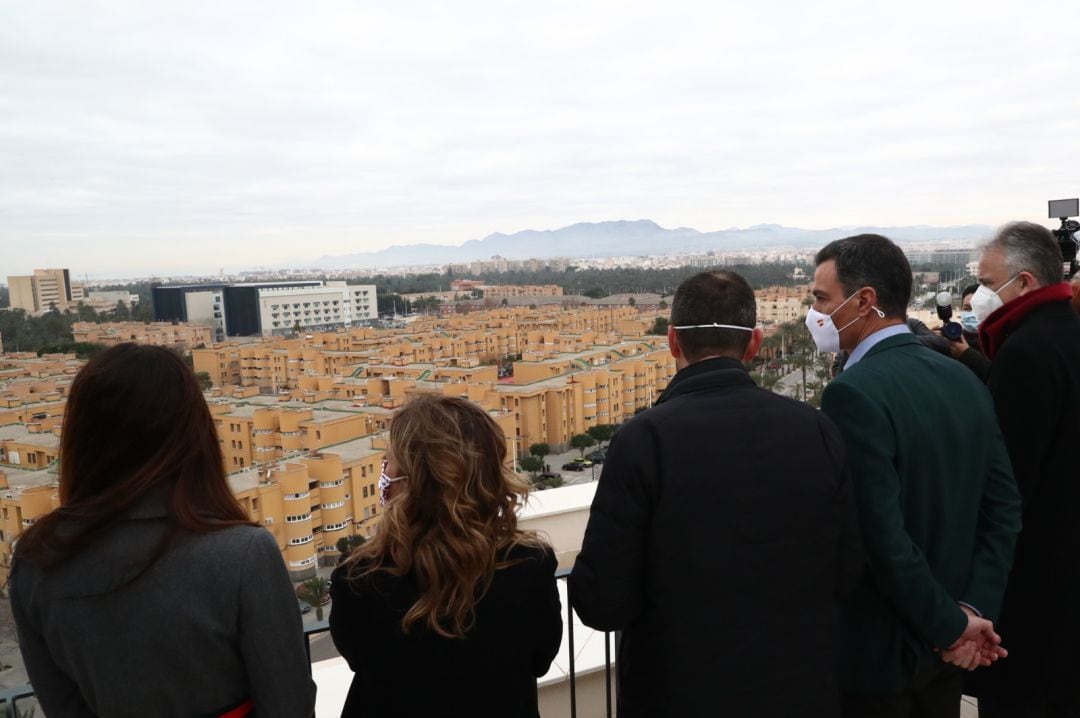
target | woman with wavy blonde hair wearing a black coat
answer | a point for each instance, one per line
(450, 609)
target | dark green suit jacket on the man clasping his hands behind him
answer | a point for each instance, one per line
(939, 509)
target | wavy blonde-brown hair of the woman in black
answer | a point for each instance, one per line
(454, 516)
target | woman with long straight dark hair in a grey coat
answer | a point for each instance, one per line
(148, 592)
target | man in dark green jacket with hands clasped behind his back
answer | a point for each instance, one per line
(939, 507)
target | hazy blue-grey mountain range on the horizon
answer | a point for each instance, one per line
(641, 237)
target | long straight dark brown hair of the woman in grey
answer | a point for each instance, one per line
(136, 423)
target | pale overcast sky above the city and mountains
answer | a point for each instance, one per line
(188, 137)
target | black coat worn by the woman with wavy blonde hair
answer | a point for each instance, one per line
(490, 673)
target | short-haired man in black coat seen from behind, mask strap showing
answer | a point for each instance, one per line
(724, 527)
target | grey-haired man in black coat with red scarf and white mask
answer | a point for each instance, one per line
(1032, 334)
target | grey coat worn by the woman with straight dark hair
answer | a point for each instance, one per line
(212, 624)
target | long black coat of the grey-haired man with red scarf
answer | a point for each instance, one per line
(1035, 381)
